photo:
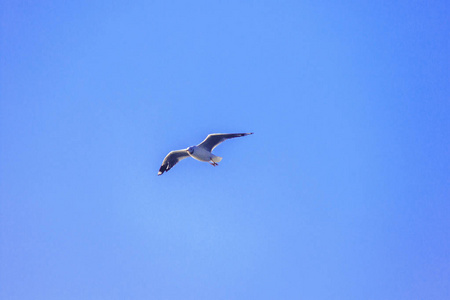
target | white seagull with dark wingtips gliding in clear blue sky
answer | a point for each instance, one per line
(201, 152)
